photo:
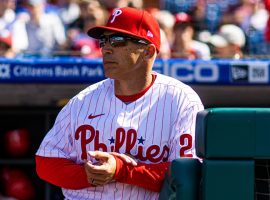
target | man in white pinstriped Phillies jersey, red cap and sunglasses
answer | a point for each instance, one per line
(116, 138)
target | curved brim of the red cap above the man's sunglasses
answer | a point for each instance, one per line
(98, 31)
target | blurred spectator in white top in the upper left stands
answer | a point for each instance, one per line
(38, 33)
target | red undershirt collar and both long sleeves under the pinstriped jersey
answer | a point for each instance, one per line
(66, 174)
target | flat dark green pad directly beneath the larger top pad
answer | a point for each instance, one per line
(228, 180)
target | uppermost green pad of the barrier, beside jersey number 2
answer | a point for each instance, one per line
(233, 133)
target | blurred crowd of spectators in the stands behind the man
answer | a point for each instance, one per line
(190, 29)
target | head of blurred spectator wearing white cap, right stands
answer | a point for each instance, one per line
(228, 43)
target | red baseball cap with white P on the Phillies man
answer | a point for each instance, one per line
(131, 21)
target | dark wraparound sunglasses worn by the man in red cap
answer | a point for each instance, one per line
(117, 40)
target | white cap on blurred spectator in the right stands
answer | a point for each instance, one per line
(228, 34)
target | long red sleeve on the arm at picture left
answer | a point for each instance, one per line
(61, 172)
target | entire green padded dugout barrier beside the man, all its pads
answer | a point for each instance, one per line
(228, 140)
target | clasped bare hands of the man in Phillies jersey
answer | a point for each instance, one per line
(103, 172)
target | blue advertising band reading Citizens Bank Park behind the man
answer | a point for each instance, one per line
(77, 70)
